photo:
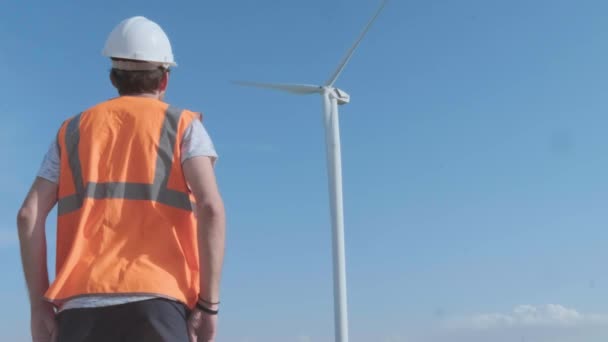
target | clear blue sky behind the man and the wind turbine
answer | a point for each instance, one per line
(474, 156)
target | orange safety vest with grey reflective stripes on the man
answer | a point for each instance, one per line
(125, 223)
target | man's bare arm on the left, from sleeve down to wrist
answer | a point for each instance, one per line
(31, 221)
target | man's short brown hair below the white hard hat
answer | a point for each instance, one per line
(136, 82)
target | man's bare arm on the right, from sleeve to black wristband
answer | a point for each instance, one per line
(200, 176)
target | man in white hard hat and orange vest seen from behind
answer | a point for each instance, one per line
(140, 221)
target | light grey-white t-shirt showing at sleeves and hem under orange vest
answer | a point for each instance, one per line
(196, 142)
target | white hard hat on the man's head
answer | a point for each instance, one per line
(138, 38)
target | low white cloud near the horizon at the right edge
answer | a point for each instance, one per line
(551, 315)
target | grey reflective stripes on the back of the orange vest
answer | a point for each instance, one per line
(157, 191)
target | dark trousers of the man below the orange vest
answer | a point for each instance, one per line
(155, 320)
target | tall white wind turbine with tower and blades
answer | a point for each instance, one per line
(332, 97)
